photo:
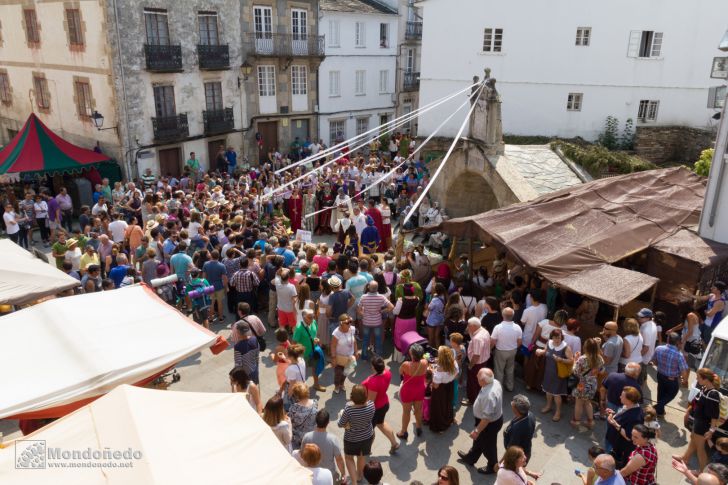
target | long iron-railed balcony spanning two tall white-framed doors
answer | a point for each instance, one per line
(284, 45)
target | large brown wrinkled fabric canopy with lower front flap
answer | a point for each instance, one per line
(569, 236)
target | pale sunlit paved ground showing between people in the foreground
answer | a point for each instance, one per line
(557, 449)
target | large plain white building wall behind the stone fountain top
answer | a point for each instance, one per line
(565, 66)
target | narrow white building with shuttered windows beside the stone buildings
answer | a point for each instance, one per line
(358, 75)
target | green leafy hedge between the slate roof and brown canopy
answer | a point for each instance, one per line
(597, 159)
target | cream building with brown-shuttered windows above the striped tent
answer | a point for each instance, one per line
(55, 61)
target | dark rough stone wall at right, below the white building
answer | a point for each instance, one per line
(665, 144)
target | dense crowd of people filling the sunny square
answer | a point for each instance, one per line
(220, 243)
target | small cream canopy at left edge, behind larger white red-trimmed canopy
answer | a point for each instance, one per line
(25, 278)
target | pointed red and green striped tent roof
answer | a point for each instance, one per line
(37, 149)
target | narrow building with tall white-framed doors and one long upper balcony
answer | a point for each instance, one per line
(282, 45)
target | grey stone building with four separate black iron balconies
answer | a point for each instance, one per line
(177, 77)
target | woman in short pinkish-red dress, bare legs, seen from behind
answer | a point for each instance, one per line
(412, 389)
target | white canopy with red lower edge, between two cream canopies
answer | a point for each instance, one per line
(65, 352)
